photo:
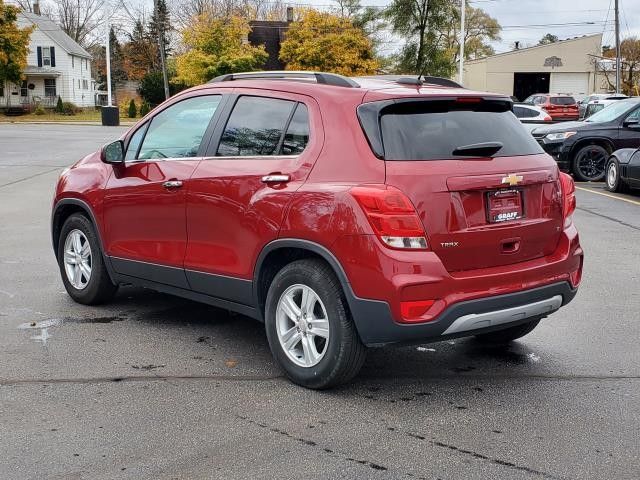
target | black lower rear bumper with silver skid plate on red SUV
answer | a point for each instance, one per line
(377, 327)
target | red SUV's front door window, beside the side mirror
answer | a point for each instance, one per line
(177, 131)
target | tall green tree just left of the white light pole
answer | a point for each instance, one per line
(419, 23)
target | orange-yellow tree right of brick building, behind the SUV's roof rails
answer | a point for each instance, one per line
(327, 42)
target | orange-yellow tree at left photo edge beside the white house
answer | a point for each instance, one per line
(14, 45)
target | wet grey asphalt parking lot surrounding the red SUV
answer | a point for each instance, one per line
(152, 386)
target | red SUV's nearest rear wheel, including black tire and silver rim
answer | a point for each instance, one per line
(309, 328)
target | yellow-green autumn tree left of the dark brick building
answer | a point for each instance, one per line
(215, 46)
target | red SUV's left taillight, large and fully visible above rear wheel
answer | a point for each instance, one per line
(392, 216)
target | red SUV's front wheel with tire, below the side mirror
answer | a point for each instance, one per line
(84, 274)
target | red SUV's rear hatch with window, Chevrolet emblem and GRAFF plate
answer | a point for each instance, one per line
(485, 192)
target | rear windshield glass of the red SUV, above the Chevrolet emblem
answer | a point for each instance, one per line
(433, 130)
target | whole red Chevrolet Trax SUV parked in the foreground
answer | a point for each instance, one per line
(343, 213)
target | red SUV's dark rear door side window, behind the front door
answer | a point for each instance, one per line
(256, 127)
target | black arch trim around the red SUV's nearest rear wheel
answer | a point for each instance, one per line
(278, 253)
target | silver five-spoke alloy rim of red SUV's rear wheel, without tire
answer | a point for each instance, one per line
(302, 325)
